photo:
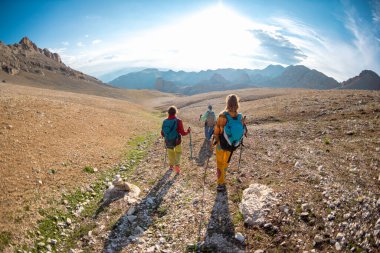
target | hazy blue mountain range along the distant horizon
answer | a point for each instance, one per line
(275, 76)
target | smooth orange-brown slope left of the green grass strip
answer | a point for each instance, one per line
(48, 138)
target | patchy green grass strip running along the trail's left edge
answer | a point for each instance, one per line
(135, 150)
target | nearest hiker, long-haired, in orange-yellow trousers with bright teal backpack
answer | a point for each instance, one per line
(228, 135)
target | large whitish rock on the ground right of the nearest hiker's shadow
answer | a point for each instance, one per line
(256, 201)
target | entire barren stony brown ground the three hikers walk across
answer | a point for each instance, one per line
(316, 150)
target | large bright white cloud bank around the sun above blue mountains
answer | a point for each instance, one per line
(219, 37)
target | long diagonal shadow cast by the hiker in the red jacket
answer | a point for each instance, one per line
(138, 218)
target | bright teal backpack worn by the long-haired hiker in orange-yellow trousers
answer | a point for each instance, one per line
(233, 133)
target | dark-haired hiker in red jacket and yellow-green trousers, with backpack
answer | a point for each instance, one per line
(172, 130)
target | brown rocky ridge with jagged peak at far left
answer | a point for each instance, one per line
(25, 64)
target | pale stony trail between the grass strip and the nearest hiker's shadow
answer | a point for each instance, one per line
(169, 214)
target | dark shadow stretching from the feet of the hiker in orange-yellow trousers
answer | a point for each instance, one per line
(220, 234)
